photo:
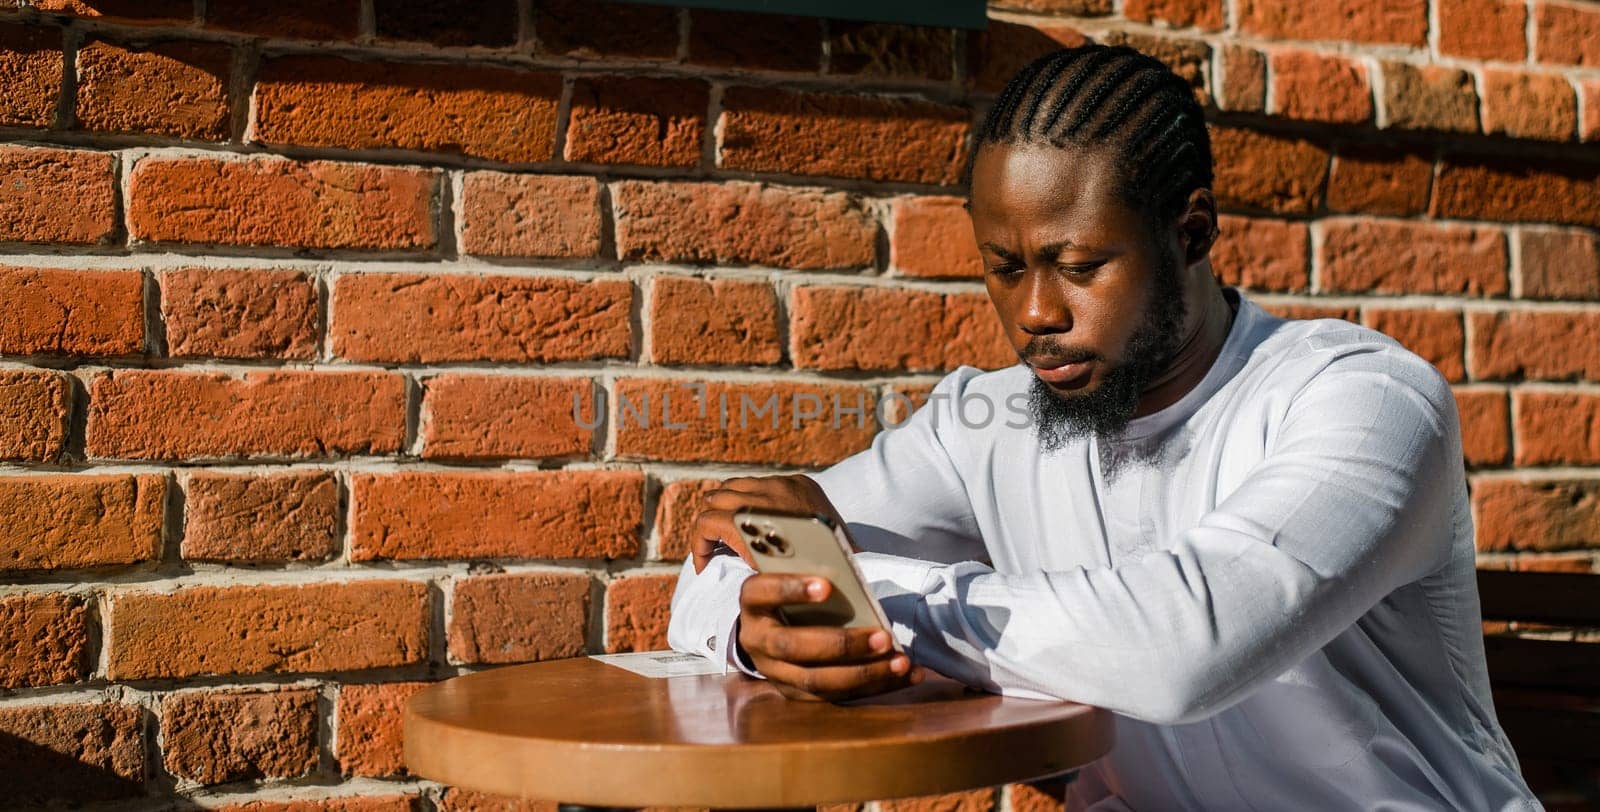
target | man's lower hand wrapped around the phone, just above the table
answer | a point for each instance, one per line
(815, 663)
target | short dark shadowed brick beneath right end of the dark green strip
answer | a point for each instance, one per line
(892, 52)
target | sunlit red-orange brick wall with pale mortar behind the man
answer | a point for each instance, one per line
(297, 298)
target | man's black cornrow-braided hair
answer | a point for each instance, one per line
(1118, 100)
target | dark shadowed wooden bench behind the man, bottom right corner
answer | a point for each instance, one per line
(1546, 688)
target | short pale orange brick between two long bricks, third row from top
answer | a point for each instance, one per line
(530, 215)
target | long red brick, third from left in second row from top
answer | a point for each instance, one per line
(490, 113)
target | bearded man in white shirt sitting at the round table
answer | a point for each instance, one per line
(1249, 538)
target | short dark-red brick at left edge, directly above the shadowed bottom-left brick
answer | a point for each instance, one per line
(46, 639)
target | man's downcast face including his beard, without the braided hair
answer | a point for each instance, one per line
(1089, 297)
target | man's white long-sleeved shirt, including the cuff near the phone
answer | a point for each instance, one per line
(1271, 583)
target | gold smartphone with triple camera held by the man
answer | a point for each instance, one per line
(814, 546)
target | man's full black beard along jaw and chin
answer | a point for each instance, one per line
(1108, 408)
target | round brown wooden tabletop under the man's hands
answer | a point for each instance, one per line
(586, 733)
